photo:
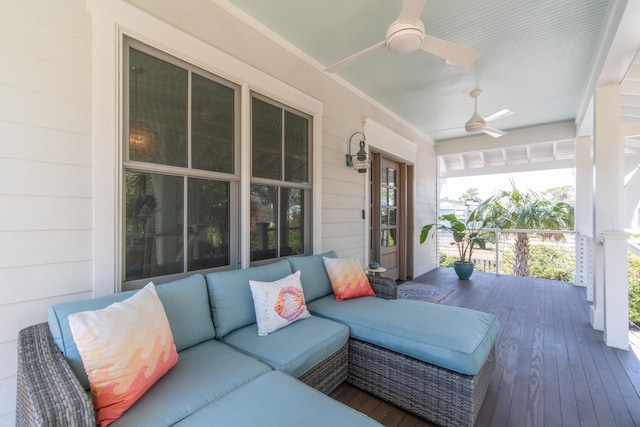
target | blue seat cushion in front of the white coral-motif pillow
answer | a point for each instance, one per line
(295, 348)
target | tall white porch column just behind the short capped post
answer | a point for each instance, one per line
(608, 188)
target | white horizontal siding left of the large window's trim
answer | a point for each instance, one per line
(46, 195)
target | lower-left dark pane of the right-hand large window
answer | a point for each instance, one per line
(264, 202)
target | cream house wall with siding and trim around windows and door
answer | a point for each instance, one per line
(61, 167)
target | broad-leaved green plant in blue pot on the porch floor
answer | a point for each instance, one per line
(467, 235)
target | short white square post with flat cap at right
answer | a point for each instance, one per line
(616, 289)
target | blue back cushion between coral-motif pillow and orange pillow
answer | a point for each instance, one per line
(313, 275)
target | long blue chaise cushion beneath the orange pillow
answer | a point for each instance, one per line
(455, 338)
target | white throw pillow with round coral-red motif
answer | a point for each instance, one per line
(278, 303)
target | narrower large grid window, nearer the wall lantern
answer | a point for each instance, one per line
(280, 180)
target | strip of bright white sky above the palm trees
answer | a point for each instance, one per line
(488, 185)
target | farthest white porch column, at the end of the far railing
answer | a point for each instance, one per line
(584, 214)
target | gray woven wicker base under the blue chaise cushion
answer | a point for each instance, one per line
(444, 397)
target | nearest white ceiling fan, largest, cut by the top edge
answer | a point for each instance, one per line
(406, 34)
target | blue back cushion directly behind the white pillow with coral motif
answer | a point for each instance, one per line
(230, 295)
